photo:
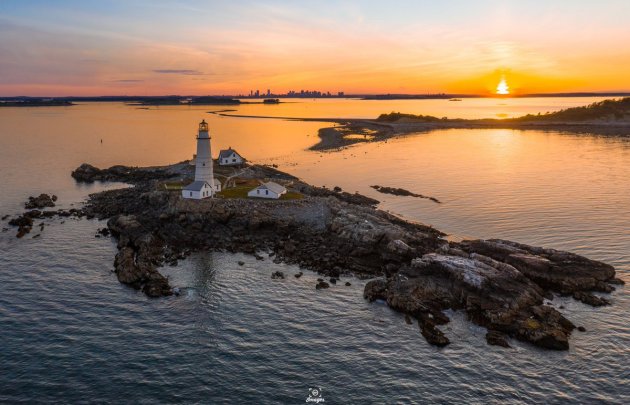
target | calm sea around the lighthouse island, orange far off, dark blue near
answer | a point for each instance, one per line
(71, 333)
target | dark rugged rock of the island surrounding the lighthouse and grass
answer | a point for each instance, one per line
(499, 284)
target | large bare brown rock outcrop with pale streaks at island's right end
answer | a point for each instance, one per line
(501, 289)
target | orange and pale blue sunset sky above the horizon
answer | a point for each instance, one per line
(142, 47)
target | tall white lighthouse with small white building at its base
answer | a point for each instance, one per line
(205, 185)
